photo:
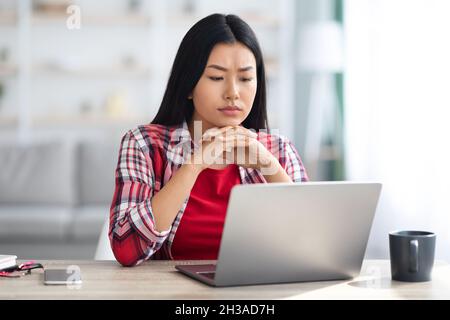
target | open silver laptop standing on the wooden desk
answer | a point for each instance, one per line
(278, 232)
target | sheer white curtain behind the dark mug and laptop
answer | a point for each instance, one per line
(397, 113)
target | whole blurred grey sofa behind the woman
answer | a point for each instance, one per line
(55, 197)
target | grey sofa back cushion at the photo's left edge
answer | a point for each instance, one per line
(38, 173)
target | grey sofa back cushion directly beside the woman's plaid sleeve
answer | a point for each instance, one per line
(96, 167)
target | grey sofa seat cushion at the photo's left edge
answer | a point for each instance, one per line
(22, 223)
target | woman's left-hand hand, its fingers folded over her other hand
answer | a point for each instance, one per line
(215, 143)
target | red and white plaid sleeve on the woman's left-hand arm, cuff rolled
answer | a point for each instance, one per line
(132, 232)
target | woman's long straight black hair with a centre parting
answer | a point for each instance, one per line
(190, 63)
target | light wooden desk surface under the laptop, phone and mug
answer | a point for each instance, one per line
(160, 280)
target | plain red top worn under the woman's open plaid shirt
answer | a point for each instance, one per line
(200, 230)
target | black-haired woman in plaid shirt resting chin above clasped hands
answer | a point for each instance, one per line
(174, 176)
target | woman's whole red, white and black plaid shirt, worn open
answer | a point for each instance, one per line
(149, 155)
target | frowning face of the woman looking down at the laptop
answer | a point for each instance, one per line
(229, 80)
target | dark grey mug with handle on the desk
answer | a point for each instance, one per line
(412, 255)
